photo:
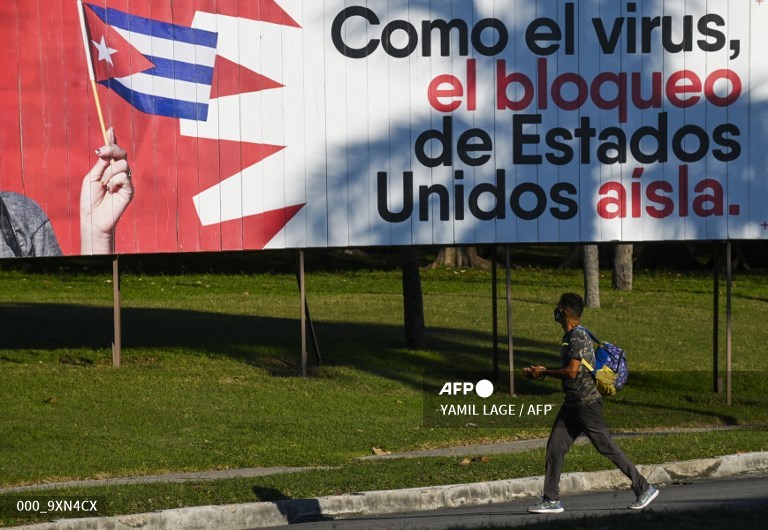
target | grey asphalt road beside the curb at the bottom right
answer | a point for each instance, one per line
(740, 493)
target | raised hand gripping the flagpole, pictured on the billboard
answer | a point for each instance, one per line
(106, 193)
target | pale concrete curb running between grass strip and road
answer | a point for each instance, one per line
(267, 514)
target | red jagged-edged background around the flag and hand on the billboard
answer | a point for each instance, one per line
(50, 129)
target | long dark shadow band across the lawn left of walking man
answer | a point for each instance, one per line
(78, 335)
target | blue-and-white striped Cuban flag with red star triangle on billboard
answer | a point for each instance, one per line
(159, 68)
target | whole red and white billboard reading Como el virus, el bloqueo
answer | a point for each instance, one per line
(258, 124)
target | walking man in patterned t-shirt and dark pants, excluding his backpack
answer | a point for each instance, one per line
(582, 412)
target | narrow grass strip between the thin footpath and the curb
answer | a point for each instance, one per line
(357, 476)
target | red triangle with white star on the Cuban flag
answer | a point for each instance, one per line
(111, 55)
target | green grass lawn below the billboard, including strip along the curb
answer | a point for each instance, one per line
(210, 377)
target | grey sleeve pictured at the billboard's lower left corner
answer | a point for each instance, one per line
(31, 228)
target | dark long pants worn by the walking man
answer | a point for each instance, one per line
(587, 418)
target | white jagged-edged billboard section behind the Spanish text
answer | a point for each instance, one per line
(344, 121)
